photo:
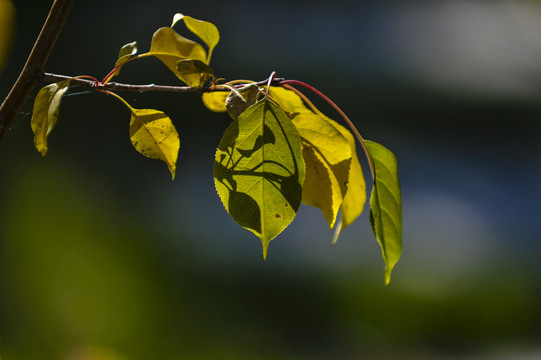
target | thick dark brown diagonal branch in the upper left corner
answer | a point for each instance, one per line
(29, 77)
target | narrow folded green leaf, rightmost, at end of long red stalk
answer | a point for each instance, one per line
(386, 205)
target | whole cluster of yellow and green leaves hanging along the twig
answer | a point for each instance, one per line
(278, 151)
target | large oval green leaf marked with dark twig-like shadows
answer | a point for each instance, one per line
(259, 171)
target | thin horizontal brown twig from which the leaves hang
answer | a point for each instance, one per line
(50, 78)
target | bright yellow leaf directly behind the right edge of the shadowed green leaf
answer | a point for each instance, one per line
(327, 154)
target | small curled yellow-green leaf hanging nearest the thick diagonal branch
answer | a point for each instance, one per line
(45, 113)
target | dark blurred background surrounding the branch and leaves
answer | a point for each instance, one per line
(103, 257)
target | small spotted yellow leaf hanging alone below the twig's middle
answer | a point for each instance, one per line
(153, 134)
